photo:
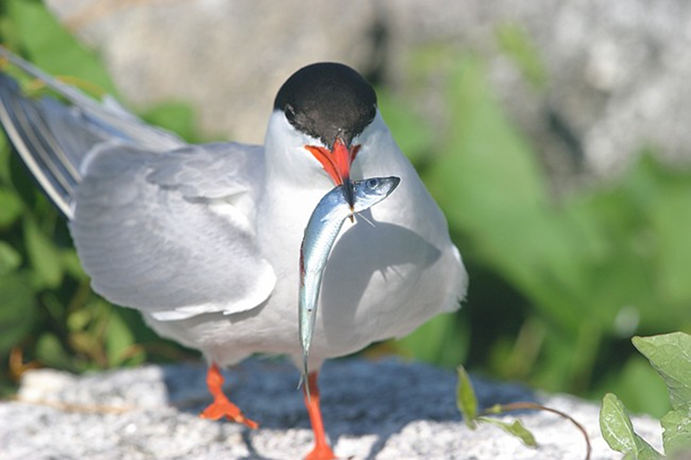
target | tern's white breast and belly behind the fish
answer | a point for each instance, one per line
(381, 281)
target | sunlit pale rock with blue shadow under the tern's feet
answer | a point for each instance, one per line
(372, 410)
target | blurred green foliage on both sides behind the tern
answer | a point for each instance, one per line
(558, 285)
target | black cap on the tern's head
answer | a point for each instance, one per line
(326, 101)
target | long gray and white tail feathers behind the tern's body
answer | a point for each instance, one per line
(53, 137)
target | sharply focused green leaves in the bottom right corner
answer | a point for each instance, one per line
(670, 355)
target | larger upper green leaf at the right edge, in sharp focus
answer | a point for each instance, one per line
(670, 355)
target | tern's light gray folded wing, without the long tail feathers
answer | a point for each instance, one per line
(169, 233)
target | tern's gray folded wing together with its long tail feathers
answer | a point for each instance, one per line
(159, 226)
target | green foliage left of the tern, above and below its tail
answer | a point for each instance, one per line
(48, 314)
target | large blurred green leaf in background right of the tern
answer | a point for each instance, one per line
(492, 189)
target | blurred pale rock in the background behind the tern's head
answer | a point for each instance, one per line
(616, 72)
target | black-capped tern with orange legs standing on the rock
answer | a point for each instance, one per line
(204, 240)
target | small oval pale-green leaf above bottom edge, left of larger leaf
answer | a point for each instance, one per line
(617, 430)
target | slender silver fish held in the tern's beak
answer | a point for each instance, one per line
(320, 234)
